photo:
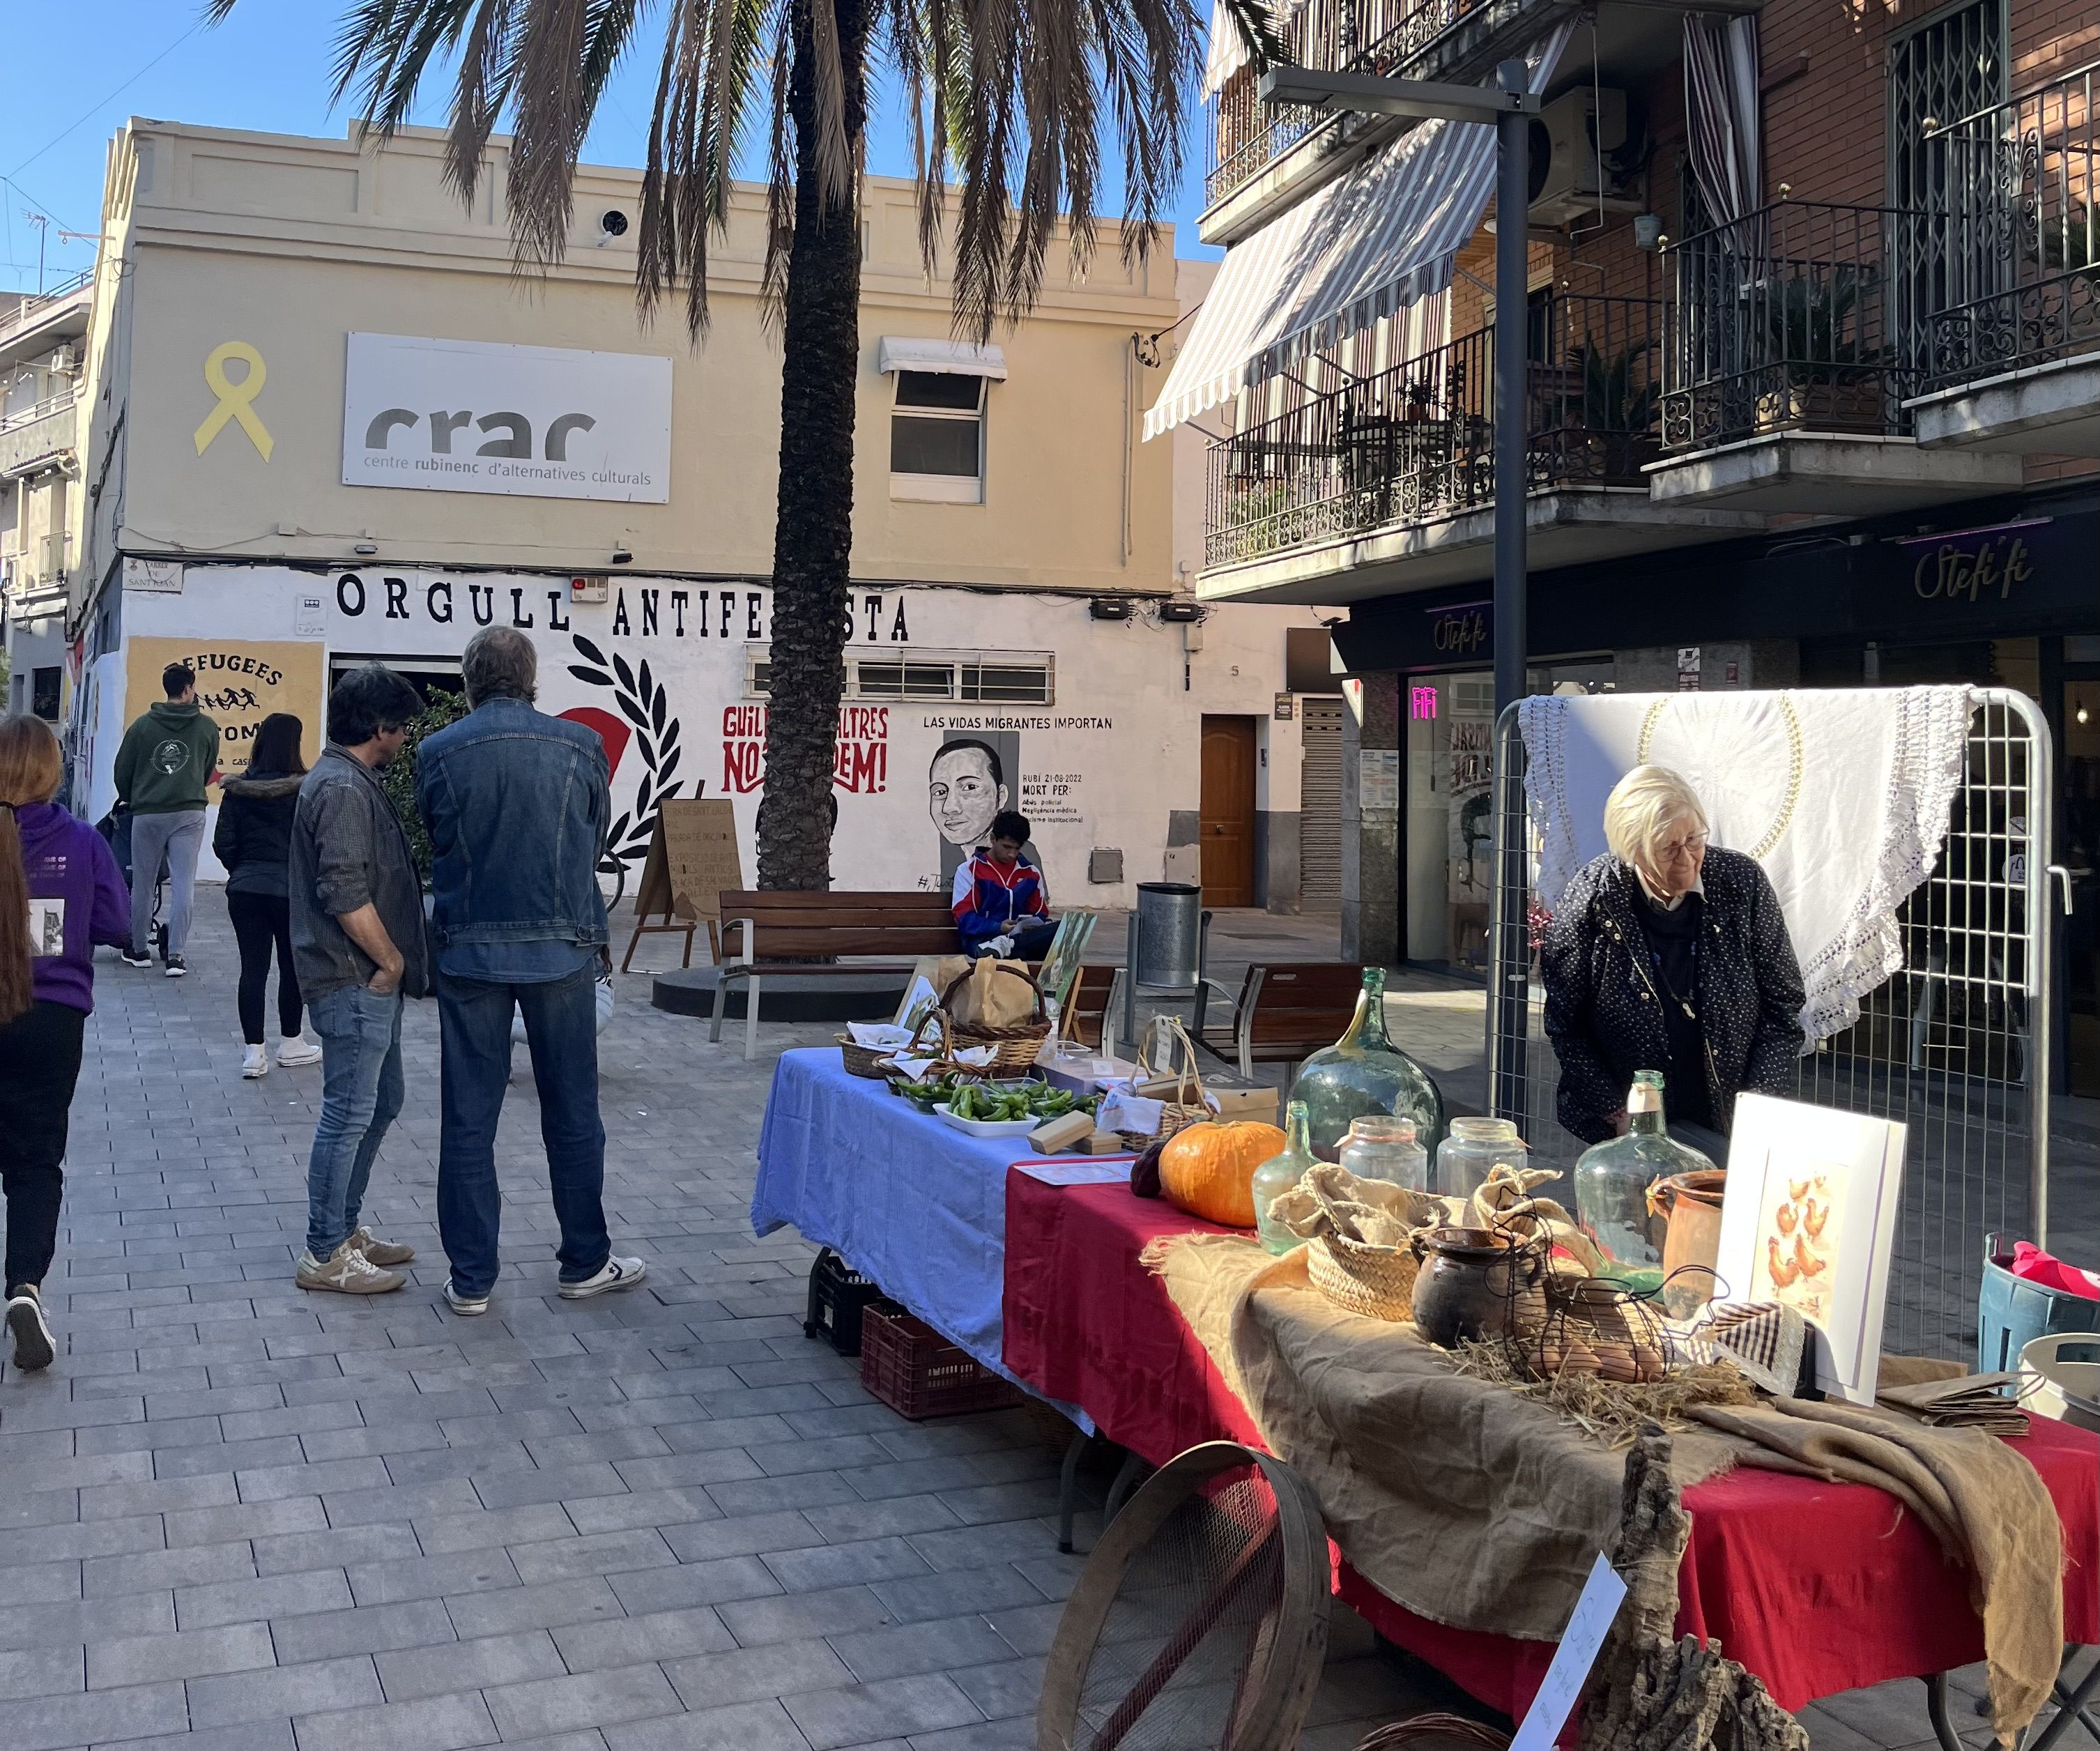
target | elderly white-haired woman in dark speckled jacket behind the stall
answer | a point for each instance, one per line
(1668, 956)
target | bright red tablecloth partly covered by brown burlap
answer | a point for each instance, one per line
(1815, 1588)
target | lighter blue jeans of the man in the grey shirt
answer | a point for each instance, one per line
(360, 1099)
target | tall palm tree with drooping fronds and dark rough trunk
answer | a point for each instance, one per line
(1020, 96)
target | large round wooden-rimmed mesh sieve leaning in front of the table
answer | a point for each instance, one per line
(1200, 1622)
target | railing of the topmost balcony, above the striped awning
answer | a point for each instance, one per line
(1416, 39)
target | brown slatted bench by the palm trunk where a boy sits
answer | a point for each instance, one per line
(810, 931)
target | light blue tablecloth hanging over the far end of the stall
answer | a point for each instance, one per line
(906, 1200)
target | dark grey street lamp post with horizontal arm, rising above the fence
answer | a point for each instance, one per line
(1509, 108)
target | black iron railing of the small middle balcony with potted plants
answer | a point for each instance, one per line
(1794, 318)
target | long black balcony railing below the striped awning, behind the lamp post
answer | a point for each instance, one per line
(1416, 442)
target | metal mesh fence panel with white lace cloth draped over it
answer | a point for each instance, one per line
(1956, 1045)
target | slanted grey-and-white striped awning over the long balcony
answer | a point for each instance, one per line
(1356, 251)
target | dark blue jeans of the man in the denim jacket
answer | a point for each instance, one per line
(562, 1032)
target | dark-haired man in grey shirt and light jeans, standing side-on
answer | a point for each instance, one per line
(358, 944)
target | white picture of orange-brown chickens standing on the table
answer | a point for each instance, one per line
(1807, 1221)
